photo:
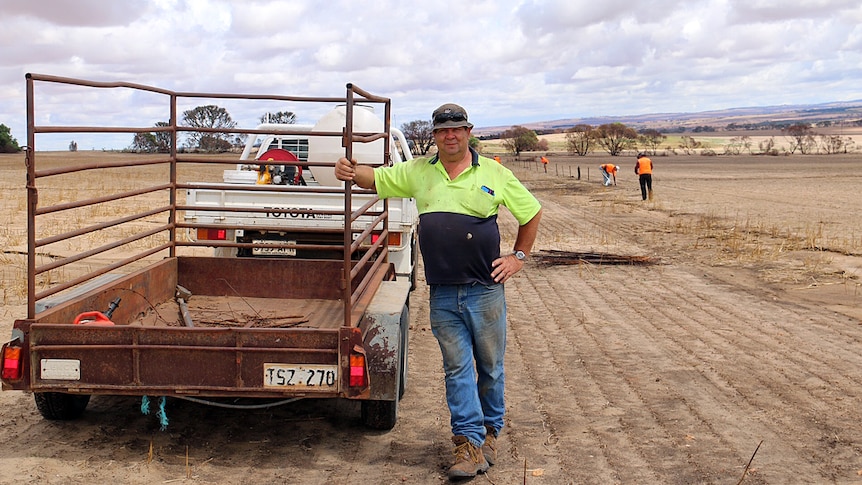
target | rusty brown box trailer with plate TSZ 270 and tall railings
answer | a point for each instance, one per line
(124, 298)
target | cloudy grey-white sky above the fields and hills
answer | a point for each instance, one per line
(507, 61)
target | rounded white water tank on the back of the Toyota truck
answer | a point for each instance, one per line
(329, 149)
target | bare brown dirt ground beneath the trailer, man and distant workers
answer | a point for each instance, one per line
(735, 358)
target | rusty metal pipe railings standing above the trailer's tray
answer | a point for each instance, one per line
(359, 276)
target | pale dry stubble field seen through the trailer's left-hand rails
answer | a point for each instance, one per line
(62, 189)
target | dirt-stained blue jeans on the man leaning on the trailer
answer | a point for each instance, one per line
(469, 322)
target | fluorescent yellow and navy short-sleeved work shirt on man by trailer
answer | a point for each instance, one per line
(458, 232)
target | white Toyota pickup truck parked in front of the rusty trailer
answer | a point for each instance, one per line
(294, 218)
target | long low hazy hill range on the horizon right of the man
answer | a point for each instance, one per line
(757, 117)
